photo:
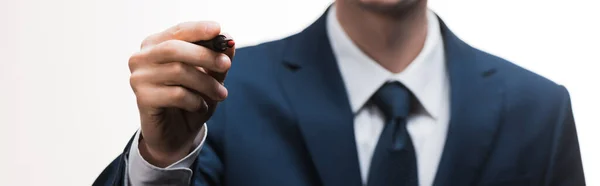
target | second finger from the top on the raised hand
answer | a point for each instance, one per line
(191, 54)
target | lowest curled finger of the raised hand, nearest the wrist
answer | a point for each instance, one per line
(169, 97)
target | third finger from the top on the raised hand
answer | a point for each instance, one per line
(179, 74)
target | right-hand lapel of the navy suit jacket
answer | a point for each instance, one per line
(476, 107)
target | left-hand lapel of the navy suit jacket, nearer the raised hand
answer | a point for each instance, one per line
(315, 89)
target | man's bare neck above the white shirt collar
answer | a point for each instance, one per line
(393, 41)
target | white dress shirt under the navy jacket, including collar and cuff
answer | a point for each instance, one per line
(425, 77)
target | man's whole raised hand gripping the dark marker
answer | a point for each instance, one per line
(177, 85)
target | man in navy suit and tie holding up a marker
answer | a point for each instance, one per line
(375, 92)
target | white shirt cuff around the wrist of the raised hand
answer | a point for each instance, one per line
(140, 172)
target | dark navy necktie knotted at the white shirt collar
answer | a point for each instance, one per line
(394, 161)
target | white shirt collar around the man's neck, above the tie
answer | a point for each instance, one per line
(425, 77)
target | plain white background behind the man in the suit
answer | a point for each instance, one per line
(66, 108)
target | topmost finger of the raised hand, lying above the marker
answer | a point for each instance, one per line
(187, 31)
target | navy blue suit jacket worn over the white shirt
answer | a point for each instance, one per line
(287, 121)
